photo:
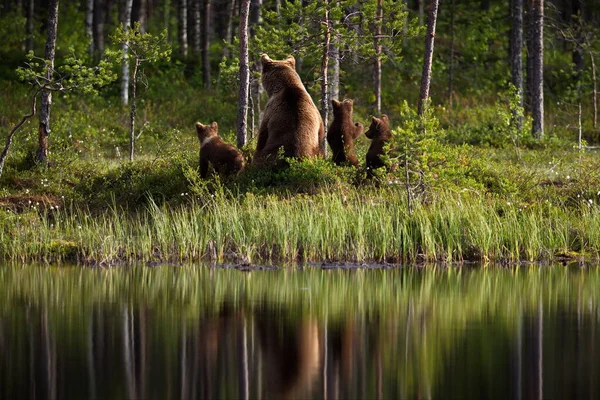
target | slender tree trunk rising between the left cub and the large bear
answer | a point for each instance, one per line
(242, 120)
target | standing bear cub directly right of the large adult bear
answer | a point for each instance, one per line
(342, 132)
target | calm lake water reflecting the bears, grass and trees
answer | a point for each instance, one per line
(198, 332)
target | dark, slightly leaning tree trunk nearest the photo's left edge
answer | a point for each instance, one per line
(46, 99)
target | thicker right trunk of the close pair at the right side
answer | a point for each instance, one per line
(537, 78)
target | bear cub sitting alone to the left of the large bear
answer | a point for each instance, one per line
(225, 158)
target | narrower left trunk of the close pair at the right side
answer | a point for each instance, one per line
(516, 53)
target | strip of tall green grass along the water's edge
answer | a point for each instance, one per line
(357, 226)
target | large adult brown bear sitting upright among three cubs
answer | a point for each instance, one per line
(290, 118)
